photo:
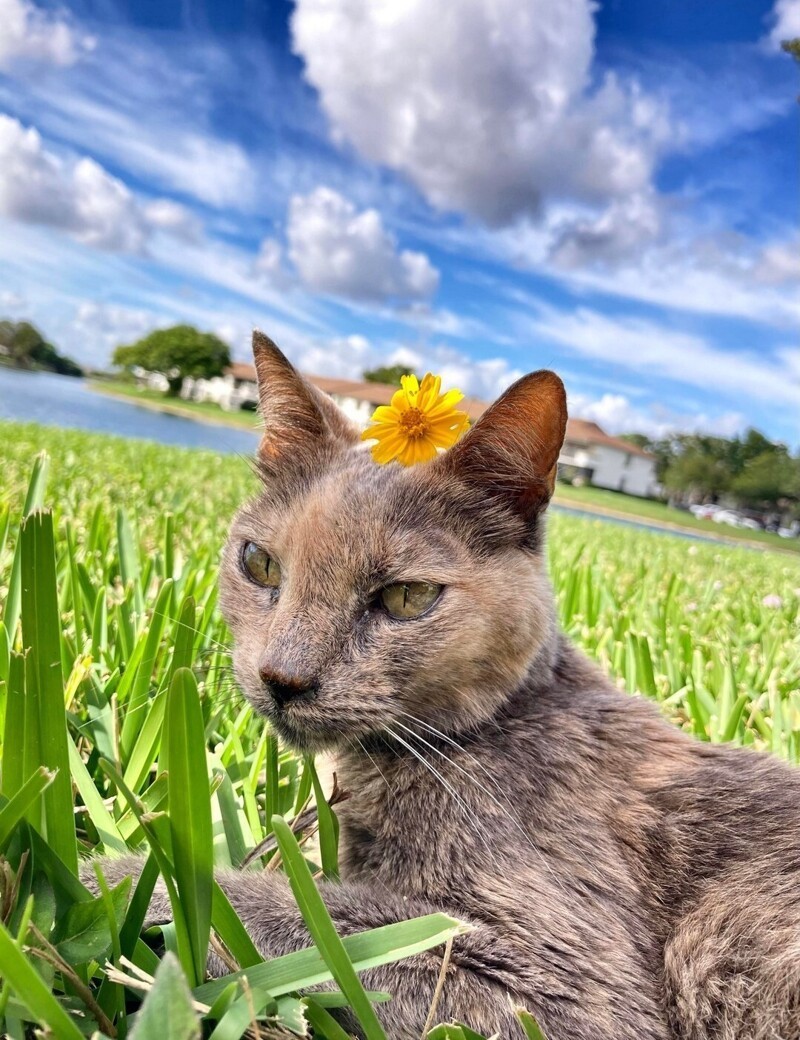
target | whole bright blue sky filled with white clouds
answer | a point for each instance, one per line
(479, 189)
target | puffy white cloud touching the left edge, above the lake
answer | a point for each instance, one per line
(79, 196)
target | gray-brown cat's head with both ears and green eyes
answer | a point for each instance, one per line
(362, 596)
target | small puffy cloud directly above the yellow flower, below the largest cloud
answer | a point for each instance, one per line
(340, 251)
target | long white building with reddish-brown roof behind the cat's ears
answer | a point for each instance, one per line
(589, 454)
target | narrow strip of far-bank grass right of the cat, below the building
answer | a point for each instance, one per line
(646, 509)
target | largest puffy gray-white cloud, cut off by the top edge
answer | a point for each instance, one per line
(486, 108)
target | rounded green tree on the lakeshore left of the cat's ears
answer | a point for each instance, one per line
(177, 353)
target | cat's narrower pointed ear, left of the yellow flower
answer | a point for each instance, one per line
(299, 421)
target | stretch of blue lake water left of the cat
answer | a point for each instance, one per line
(59, 401)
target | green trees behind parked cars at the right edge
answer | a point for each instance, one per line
(752, 471)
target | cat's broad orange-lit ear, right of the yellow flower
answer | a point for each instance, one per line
(512, 452)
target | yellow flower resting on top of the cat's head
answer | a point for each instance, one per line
(420, 421)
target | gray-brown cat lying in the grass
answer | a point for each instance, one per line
(626, 882)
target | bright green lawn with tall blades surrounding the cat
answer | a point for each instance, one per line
(112, 651)
